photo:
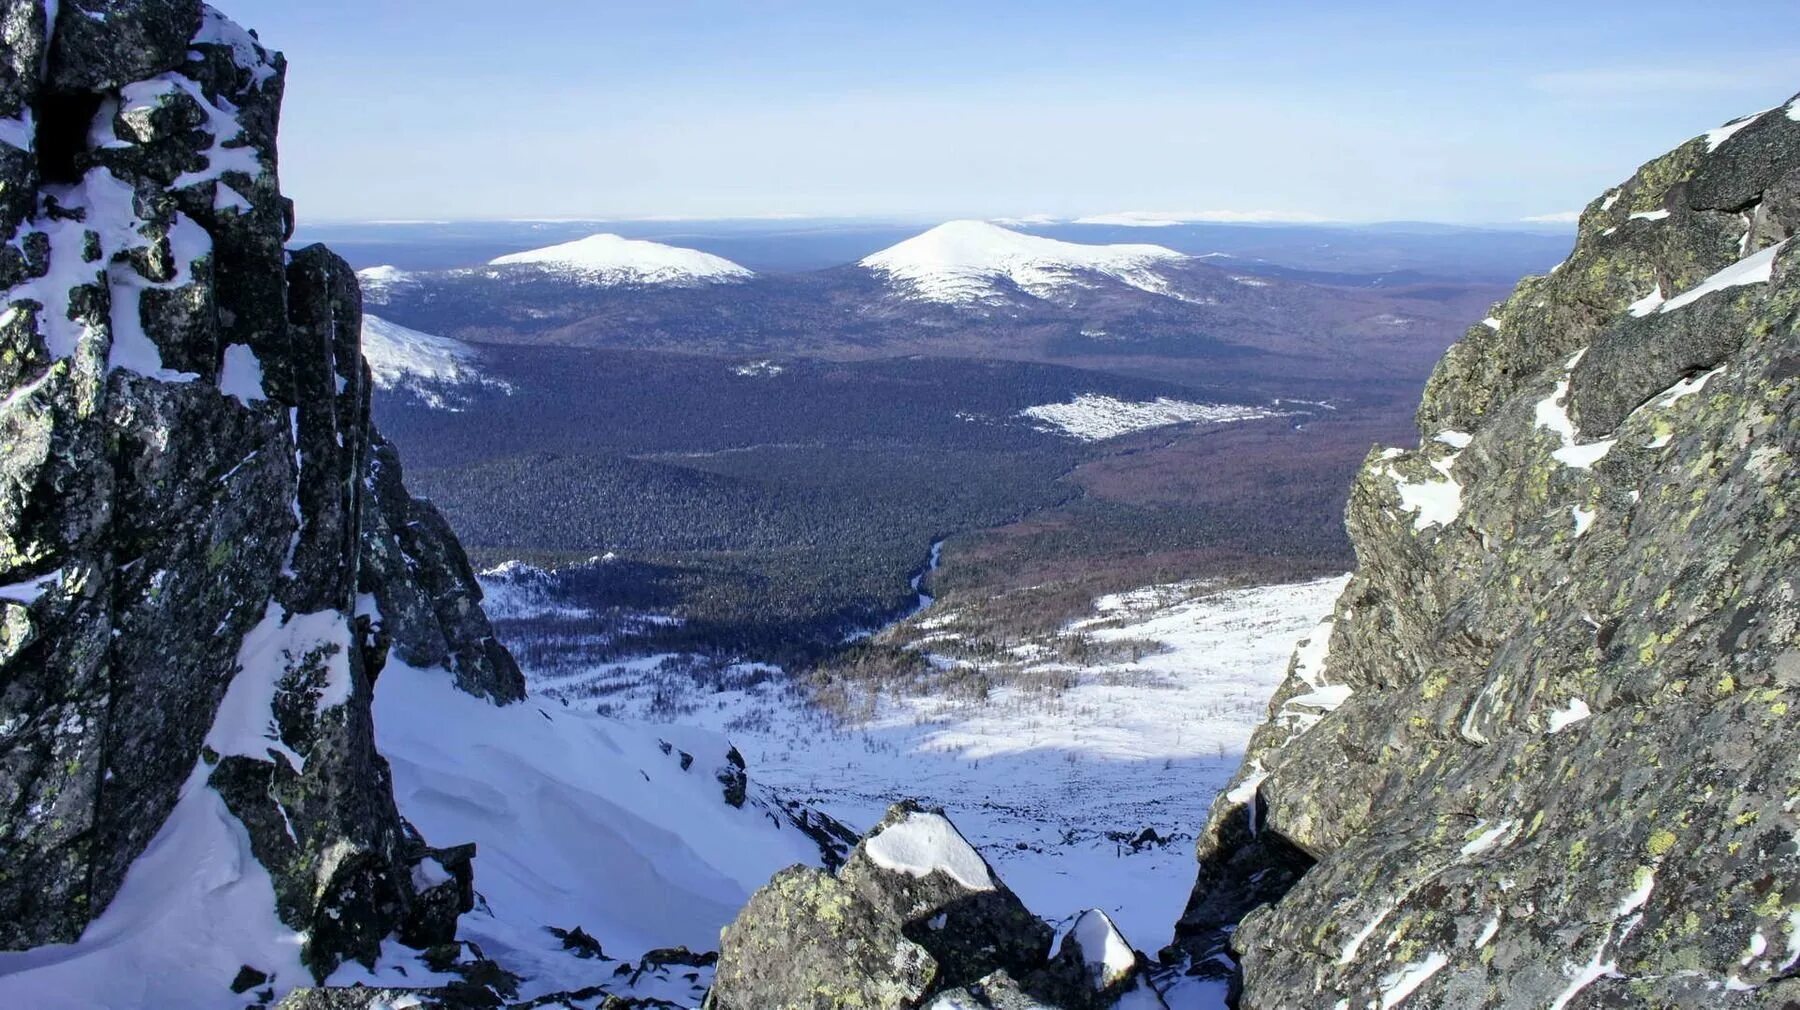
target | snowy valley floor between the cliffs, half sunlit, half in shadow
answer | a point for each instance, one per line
(1050, 788)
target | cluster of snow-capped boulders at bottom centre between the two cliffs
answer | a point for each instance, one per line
(915, 917)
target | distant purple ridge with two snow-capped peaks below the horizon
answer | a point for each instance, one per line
(966, 289)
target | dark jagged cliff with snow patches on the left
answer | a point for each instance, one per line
(206, 550)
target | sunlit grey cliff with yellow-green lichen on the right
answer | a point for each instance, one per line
(1543, 753)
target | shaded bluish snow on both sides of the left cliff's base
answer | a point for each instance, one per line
(620, 829)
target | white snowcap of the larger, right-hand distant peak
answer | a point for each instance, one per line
(967, 262)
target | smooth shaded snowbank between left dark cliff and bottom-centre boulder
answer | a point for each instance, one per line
(580, 820)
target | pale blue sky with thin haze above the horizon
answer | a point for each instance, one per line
(922, 111)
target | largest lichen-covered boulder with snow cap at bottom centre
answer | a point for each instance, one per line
(913, 912)
